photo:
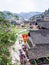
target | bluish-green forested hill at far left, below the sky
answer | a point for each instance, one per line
(8, 15)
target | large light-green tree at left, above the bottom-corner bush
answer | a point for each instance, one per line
(7, 34)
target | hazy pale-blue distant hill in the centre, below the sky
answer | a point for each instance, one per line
(28, 15)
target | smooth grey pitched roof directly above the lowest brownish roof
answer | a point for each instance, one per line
(40, 36)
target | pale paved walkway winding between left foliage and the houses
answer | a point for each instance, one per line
(14, 49)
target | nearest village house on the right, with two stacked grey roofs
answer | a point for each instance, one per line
(40, 43)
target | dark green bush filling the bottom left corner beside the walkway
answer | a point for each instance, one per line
(4, 55)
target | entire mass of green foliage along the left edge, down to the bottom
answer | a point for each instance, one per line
(7, 37)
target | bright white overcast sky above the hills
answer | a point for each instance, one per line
(17, 6)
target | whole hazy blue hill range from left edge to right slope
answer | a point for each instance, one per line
(22, 15)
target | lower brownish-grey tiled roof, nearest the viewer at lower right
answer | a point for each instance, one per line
(38, 51)
